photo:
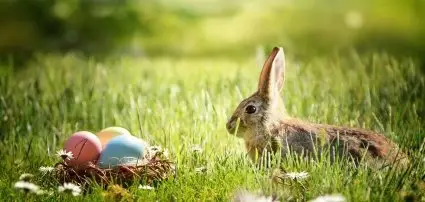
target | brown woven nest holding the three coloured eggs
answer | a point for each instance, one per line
(152, 169)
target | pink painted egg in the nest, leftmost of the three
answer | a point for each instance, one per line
(85, 148)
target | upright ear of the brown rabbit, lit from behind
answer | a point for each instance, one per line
(272, 75)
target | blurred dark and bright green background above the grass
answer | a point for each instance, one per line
(210, 28)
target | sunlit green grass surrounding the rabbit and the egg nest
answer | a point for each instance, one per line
(181, 103)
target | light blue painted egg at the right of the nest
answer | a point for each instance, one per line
(122, 150)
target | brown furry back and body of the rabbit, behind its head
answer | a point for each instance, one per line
(311, 139)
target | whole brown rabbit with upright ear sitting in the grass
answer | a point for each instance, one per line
(262, 122)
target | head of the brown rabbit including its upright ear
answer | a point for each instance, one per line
(265, 106)
